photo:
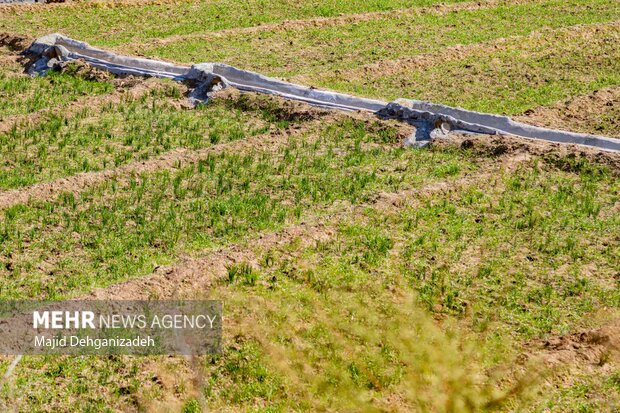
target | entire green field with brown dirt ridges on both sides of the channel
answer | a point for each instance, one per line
(481, 273)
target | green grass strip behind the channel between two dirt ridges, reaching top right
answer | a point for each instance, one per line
(336, 50)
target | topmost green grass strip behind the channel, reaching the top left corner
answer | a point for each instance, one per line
(109, 24)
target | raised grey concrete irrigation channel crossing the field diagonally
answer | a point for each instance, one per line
(430, 119)
